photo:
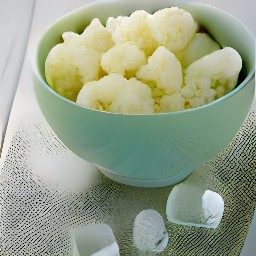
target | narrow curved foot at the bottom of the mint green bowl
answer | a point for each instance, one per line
(146, 183)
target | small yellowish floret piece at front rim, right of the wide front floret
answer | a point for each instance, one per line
(170, 103)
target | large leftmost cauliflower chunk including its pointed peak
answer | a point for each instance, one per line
(77, 60)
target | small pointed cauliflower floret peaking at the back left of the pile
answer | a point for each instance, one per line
(97, 37)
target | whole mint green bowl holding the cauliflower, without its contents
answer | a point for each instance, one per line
(148, 150)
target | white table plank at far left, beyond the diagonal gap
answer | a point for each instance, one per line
(15, 21)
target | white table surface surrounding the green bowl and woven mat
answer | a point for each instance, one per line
(15, 20)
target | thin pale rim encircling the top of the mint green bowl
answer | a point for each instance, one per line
(36, 71)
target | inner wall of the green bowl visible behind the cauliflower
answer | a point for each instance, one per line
(224, 28)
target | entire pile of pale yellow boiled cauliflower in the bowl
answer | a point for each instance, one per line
(142, 63)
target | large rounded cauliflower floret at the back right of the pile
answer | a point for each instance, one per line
(173, 28)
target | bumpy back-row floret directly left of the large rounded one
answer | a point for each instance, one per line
(135, 29)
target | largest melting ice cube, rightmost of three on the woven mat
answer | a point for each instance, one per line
(193, 206)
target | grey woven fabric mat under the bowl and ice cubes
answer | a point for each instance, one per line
(37, 214)
